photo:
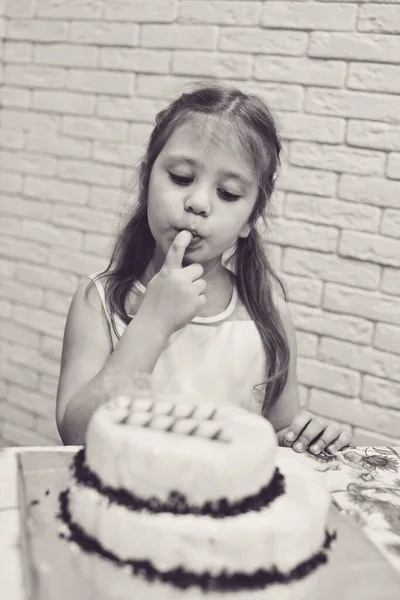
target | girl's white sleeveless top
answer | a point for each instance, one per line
(220, 358)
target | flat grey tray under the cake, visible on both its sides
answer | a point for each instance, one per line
(356, 568)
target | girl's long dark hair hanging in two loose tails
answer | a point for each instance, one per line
(255, 128)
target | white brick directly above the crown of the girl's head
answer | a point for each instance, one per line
(207, 64)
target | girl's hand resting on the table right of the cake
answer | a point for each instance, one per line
(315, 434)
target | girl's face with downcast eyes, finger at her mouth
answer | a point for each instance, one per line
(202, 183)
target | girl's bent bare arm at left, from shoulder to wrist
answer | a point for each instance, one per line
(89, 368)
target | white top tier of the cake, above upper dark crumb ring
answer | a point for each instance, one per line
(204, 451)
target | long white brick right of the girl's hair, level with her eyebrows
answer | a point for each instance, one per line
(337, 158)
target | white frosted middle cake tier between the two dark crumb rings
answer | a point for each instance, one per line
(286, 532)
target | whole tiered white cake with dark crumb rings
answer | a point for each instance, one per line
(176, 499)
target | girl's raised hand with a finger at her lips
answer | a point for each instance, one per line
(176, 293)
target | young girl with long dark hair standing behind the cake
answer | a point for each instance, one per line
(188, 295)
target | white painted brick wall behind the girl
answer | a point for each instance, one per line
(81, 83)
